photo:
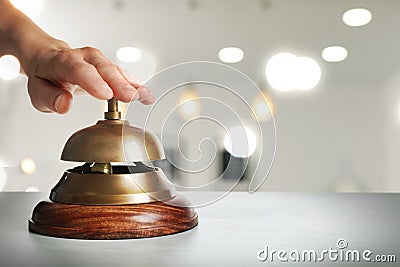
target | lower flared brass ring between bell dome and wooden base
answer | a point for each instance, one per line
(112, 189)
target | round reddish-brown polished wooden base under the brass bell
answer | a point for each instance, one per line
(112, 222)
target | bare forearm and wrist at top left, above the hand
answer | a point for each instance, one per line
(22, 38)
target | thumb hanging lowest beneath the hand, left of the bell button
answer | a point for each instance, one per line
(47, 97)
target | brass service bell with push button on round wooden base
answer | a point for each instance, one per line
(107, 184)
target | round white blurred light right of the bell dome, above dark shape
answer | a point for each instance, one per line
(240, 142)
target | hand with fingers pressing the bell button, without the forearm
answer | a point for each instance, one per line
(52, 76)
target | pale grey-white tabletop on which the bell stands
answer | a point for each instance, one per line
(230, 232)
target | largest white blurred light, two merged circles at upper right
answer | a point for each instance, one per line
(287, 72)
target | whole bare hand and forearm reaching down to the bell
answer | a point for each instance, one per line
(55, 70)
